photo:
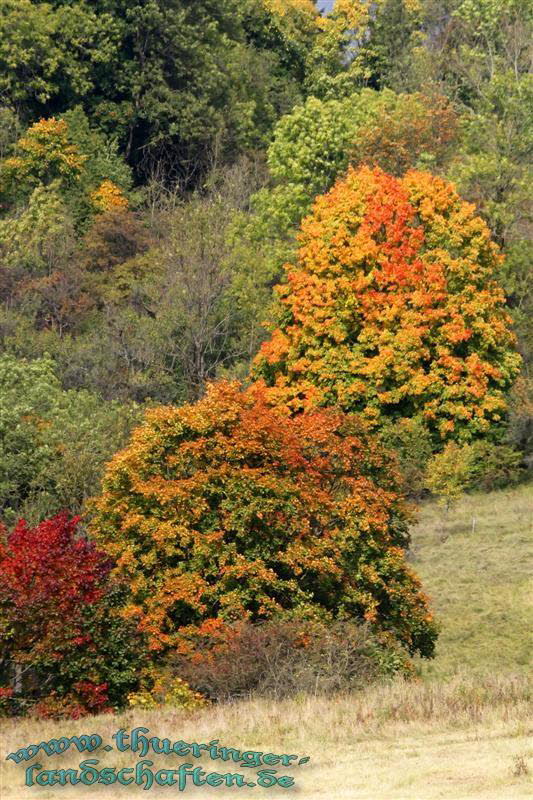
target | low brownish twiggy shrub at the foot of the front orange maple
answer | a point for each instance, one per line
(283, 658)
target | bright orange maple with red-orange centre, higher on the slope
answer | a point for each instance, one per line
(392, 309)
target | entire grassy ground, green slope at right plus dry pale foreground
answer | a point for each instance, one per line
(462, 731)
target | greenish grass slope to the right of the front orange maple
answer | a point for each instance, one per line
(476, 563)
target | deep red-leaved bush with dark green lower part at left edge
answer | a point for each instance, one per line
(63, 647)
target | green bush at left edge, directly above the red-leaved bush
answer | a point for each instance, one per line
(53, 443)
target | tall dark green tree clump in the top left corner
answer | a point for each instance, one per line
(175, 82)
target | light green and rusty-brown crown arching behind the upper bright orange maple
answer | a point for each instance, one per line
(317, 141)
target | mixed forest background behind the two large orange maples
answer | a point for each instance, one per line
(156, 162)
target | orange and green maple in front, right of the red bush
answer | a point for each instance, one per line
(226, 510)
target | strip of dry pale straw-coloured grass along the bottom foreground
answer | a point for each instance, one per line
(461, 739)
